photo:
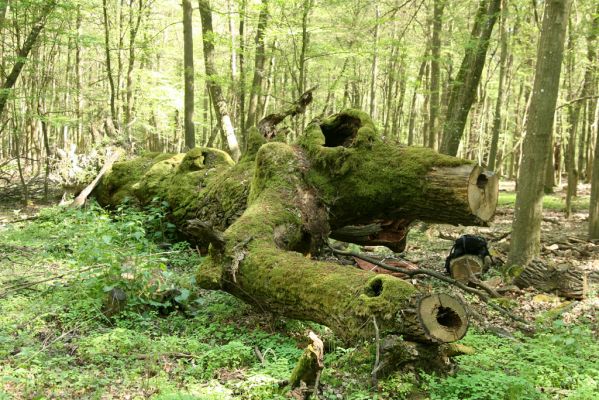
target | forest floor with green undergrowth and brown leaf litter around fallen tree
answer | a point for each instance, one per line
(173, 341)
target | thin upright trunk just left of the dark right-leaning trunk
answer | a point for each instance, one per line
(438, 7)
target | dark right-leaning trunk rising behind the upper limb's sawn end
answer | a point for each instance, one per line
(463, 88)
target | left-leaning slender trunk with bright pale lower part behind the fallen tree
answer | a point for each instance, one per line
(218, 99)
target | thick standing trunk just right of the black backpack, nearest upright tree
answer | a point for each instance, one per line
(526, 233)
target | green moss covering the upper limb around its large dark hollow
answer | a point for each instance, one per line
(367, 176)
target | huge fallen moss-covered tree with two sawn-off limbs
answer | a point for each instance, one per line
(277, 207)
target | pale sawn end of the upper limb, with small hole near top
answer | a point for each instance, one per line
(483, 192)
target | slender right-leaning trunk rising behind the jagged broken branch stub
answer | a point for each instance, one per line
(257, 82)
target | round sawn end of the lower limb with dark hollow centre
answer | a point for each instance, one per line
(443, 317)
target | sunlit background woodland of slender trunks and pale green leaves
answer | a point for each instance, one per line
(166, 75)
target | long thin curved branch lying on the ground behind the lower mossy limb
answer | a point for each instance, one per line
(437, 275)
